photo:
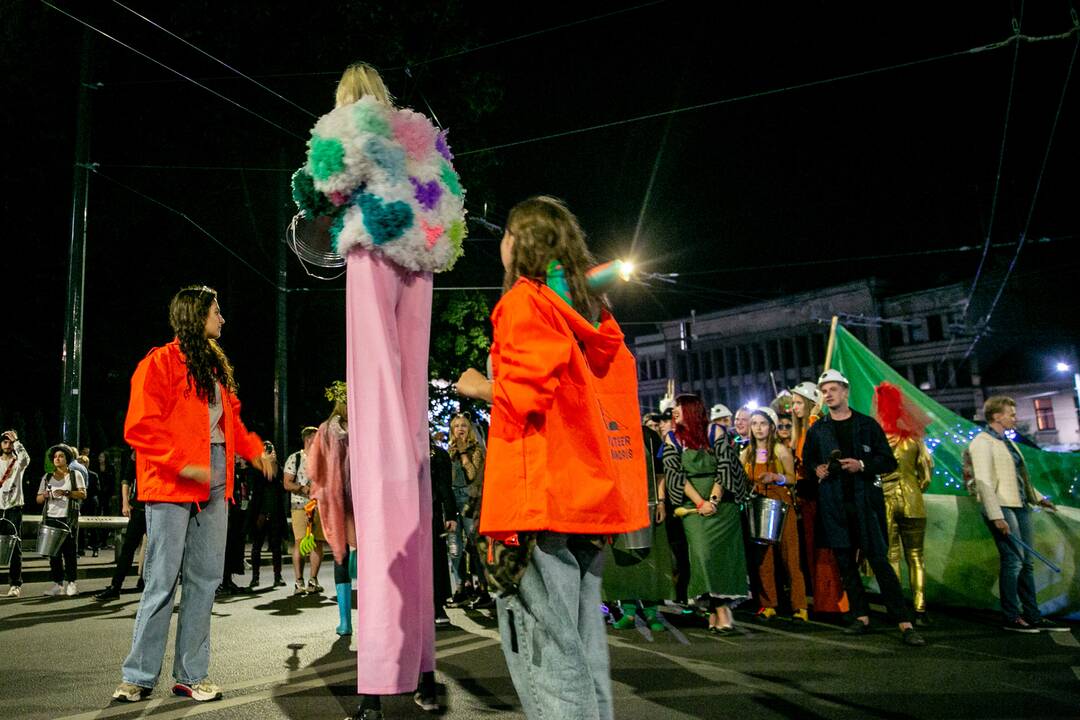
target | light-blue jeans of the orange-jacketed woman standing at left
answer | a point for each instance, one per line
(180, 539)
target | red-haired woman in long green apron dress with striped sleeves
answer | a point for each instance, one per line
(707, 485)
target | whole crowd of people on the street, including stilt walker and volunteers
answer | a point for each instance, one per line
(521, 517)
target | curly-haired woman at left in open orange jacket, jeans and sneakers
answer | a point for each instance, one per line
(184, 424)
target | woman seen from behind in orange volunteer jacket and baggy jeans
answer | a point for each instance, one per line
(565, 461)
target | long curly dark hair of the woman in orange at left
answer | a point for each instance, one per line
(206, 360)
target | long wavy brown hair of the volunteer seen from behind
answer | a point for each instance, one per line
(545, 229)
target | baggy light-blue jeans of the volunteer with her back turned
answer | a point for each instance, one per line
(553, 634)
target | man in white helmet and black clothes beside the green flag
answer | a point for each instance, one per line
(847, 451)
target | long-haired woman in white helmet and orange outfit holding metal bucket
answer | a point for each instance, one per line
(772, 469)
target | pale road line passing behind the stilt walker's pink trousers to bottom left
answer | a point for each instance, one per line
(283, 685)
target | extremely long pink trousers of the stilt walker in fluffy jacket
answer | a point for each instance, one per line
(388, 320)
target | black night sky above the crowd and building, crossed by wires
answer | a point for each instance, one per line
(902, 161)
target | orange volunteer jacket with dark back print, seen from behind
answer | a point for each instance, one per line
(565, 450)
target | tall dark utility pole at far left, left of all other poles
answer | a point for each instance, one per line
(71, 398)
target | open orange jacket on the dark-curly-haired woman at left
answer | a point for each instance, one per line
(169, 426)
